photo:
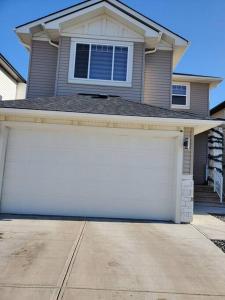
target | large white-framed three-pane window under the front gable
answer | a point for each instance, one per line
(101, 62)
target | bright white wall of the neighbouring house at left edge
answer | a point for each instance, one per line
(8, 86)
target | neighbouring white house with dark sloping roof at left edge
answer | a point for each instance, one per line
(12, 84)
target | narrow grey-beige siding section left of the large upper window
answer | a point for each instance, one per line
(42, 74)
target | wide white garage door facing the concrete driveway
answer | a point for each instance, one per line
(86, 171)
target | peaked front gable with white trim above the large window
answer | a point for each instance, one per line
(134, 25)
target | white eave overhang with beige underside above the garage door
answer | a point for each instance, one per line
(39, 116)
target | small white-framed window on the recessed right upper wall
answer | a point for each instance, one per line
(180, 95)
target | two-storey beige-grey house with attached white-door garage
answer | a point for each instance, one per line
(106, 130)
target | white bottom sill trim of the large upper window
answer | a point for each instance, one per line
(100, 82)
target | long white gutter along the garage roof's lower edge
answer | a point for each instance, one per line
(198, 125)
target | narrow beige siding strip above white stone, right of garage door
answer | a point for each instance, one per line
(188, 154)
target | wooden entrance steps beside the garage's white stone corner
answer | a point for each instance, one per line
(206, 194)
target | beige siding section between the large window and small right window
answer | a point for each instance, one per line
(158, 78)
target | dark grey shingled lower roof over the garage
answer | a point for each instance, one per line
(88, 104)
